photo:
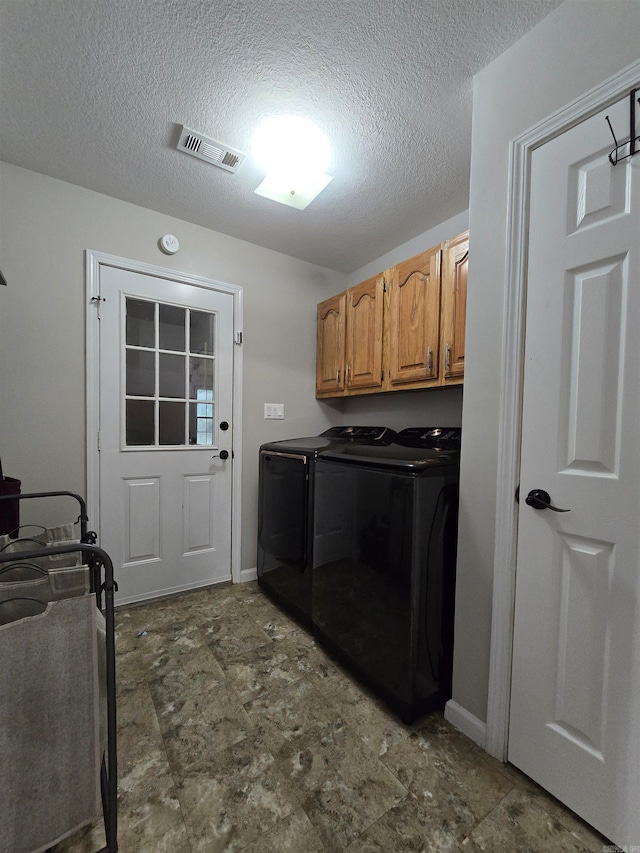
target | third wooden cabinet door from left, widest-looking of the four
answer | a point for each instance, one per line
(414, 320)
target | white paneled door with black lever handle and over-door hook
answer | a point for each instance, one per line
(575, 704)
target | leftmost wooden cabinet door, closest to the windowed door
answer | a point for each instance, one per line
(330, 346)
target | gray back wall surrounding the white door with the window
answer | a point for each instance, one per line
(45, 227)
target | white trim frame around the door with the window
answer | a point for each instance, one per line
(93, 262)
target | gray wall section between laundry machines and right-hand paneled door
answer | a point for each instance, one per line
(578, 46)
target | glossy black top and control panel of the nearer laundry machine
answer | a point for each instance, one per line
(413, 450)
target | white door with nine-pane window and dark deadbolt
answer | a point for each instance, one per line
(166, 384)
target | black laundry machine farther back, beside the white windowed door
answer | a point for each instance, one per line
(285, 510)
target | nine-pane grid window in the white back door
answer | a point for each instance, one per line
(169, 375)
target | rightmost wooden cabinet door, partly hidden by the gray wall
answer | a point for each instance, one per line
(454, 307)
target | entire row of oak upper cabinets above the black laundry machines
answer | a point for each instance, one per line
(399, 330)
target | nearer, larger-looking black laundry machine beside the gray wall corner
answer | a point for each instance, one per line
(384, 558)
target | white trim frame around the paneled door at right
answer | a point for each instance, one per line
(512, 386)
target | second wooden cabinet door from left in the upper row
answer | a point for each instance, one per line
(365, 305)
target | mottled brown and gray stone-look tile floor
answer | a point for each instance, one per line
(237, 732)
